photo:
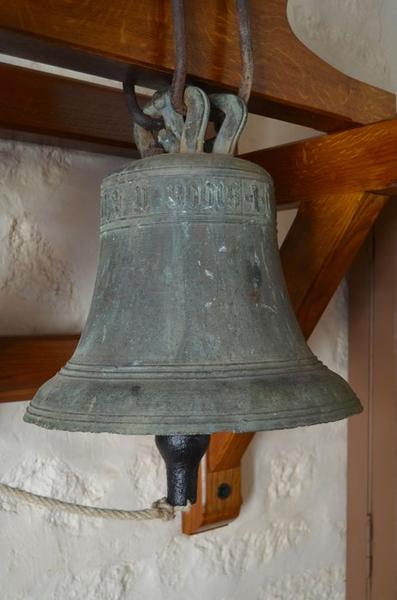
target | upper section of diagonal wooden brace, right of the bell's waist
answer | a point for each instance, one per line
(320, 247)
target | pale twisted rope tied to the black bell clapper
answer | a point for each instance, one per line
(160, 509)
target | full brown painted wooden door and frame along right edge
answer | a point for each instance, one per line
(372, 436)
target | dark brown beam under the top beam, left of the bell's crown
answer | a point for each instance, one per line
(43, 108)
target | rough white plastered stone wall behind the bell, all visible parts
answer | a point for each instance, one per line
(289, 541)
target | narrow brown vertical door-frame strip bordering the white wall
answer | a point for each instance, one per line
(360, 341)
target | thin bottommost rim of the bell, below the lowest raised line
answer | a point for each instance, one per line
(43, 419)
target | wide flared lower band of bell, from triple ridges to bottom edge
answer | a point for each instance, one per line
(185, 407)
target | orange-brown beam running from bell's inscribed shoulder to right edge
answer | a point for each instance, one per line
(362, 159)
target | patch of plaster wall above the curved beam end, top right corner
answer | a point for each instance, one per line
(355, 36)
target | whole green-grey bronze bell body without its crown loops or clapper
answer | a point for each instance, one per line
(190, 328)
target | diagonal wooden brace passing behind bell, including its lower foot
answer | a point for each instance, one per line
(318, 250)
